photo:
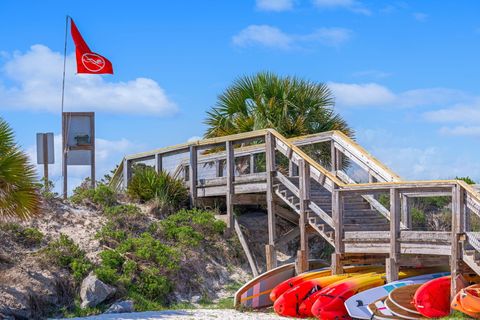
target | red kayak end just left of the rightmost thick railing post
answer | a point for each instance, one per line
(432, 299)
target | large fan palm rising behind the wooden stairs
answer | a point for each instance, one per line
(290, 105)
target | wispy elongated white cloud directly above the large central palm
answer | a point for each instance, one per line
(272, 37)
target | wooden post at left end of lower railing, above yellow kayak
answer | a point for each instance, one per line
(337, 215)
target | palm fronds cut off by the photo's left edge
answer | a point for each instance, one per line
(18, 190)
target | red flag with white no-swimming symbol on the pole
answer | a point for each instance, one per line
(88, 61)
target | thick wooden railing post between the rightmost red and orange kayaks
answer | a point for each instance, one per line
(458, 199)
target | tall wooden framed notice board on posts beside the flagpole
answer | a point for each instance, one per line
(78, 143)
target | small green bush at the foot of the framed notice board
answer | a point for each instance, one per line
(103, 195)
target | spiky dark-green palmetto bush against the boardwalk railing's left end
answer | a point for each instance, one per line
(146, 184)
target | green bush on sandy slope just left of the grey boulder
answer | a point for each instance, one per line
(65, 253)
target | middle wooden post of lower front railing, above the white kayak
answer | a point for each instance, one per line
(392, 263)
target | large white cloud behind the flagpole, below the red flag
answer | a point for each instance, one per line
(36, 77)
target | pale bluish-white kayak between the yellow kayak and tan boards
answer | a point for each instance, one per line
(357, 305)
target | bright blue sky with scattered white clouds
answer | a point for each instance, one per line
(404, 73)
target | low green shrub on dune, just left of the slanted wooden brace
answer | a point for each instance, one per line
(190, 227)
